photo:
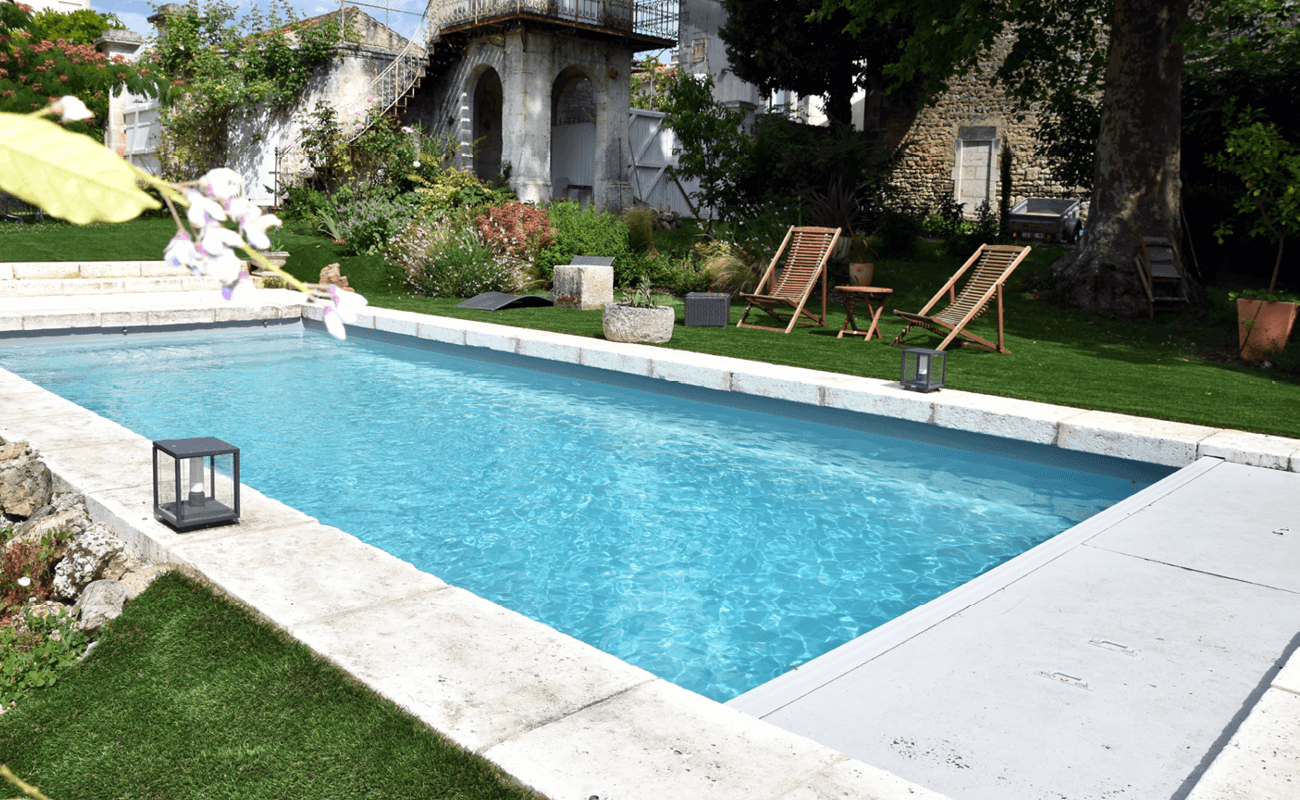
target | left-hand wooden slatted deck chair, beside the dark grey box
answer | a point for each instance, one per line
(807, 252)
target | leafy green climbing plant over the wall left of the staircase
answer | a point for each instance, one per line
(227, 66)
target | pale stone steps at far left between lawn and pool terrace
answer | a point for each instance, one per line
(57, 279)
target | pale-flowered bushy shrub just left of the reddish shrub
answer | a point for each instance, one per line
(440, 258)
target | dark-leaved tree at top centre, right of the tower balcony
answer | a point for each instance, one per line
(774, 45)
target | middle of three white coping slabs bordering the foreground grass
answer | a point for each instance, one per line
(478, 673)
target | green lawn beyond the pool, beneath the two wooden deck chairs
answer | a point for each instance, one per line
(1169, 369)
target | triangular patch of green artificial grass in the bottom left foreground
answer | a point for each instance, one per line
(188, 695)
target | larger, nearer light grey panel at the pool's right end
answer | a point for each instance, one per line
(965, 711)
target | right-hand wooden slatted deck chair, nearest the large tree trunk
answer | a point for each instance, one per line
(989, 269)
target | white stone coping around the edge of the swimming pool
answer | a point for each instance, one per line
(580, 723)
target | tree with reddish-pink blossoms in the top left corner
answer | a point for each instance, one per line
(36, 70)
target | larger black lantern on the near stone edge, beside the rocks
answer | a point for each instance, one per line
(196, 483)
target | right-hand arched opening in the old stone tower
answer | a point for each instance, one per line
(574, 137)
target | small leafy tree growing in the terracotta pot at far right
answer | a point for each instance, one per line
(1268, 168)
